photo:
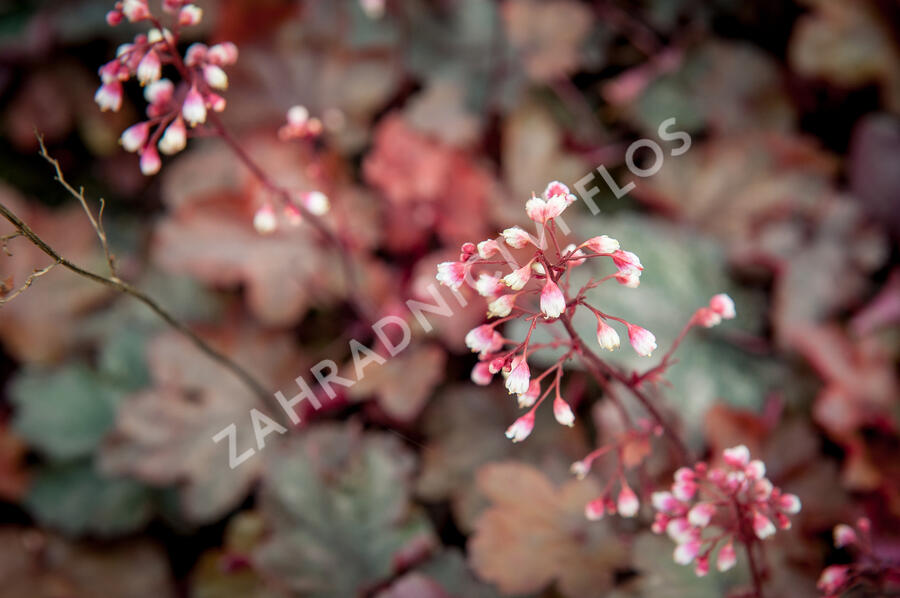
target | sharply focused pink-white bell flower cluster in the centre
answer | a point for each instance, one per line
(537, 290)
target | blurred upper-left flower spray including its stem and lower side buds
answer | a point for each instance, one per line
(176, 111)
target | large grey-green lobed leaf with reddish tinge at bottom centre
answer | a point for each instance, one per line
(336, 502)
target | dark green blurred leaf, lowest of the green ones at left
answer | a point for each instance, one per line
(76, 500)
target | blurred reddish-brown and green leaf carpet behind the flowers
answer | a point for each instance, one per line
(441, 117)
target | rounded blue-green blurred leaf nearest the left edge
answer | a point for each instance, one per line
(63, 413)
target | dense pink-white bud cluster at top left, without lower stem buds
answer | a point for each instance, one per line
(171, 109)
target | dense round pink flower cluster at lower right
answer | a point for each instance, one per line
(736, 500)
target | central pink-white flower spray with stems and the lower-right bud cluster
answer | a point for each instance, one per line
(737, 499)
